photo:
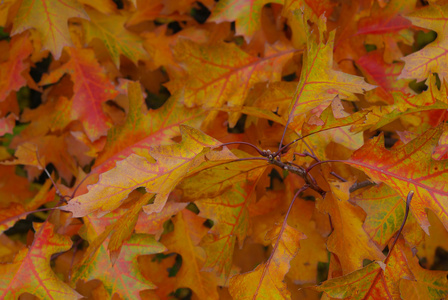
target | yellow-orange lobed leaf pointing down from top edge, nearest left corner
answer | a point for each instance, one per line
(49, 18)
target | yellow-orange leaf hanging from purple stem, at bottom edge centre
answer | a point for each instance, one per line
(266, 281)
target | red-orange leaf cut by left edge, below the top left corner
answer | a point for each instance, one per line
(11, 70)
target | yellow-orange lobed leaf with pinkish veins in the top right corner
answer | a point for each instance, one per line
(433, 58)
